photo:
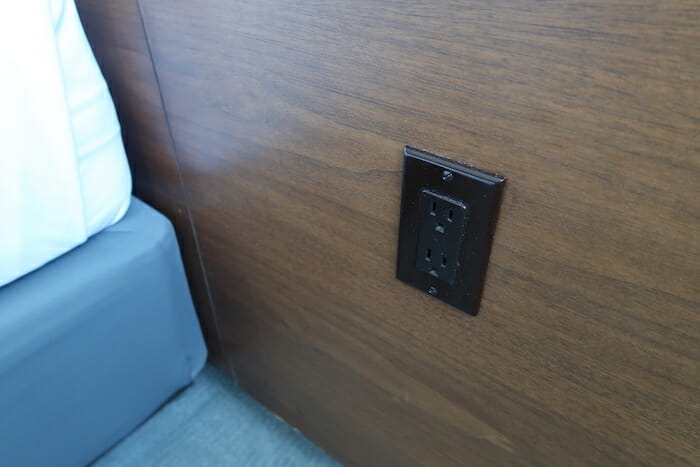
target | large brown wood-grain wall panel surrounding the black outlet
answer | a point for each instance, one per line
(290, 118)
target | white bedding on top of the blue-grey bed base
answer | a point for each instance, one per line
(63, 170)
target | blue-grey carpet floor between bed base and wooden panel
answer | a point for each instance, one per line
(213, 423)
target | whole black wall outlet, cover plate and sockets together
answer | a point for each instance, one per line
(448, 216)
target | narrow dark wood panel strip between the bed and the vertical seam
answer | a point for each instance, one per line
(115, 31)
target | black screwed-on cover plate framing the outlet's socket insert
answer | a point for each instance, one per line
(480, 192)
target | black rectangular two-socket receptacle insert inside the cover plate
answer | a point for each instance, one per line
(440, 230)
